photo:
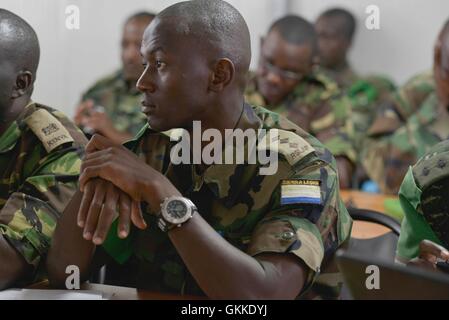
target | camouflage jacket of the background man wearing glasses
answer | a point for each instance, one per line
(318, 106)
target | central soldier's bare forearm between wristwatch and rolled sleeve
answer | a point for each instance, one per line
(223, 271)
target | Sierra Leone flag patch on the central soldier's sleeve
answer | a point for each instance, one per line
(300, 191)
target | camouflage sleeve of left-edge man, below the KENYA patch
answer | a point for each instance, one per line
(29, 217)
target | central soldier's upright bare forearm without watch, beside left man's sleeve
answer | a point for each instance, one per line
(68, 246)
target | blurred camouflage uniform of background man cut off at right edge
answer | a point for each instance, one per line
(404, 133)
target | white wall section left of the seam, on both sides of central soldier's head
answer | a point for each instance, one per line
(72, 60)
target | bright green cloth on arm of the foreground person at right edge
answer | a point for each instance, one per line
(414, 227)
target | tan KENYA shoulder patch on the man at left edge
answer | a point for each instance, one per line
(48, 129)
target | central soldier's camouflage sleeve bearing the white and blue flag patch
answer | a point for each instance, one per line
(307, 218)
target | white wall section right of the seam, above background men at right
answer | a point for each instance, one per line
(404, 44)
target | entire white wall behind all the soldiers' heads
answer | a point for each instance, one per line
(72, 60)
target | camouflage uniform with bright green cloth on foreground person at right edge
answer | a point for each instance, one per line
(423, 197)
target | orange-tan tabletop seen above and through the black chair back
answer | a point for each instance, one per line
(363, 200)
